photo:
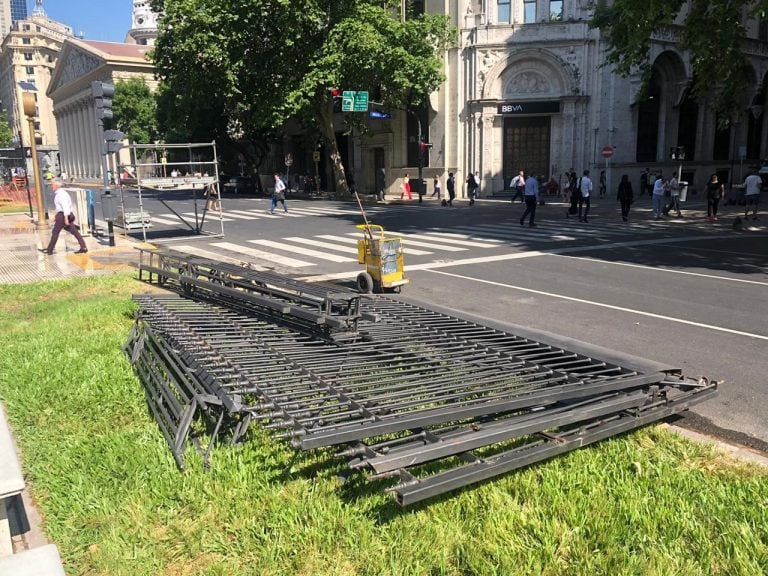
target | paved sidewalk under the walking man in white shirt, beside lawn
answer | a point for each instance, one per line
(21, 262)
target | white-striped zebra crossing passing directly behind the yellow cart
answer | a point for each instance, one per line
(433, 244)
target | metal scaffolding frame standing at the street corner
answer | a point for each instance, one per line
(154, 176)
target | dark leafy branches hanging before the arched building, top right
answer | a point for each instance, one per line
(712, 31)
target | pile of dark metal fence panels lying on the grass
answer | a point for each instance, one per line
(396, 387)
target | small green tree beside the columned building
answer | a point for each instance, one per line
(135, 110)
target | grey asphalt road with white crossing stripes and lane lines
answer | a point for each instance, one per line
(679, 291)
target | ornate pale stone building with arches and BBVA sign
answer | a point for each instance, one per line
(527, 89)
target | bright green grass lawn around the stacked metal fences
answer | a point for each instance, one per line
(112, 499)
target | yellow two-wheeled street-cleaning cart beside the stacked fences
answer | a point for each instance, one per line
(383, 259)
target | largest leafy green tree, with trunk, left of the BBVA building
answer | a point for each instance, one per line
(260, 63)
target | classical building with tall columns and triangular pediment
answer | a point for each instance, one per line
(81, 63)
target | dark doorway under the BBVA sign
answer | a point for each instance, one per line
(526, 145)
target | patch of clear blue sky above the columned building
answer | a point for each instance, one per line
(107, 20)
